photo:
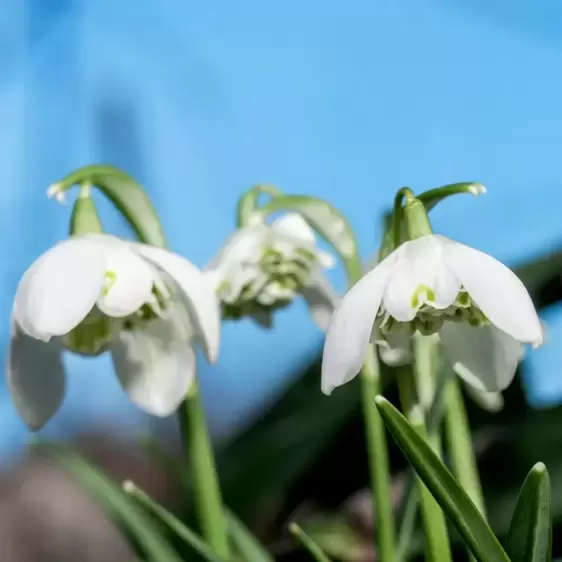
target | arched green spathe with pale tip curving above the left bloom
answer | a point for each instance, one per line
(125, 193)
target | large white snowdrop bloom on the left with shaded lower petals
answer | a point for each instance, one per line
(92, 293)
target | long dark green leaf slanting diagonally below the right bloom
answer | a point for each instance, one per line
(451, 497)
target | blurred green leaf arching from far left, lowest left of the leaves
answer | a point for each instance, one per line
(116, 503)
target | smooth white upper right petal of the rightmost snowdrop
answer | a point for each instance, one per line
(497, 291)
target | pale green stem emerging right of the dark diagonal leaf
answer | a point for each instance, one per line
(459, 444)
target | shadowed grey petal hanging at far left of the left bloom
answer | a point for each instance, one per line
(35, 378)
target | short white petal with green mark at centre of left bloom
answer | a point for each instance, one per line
(129, 282)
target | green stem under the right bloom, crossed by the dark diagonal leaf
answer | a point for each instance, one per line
(437, 540)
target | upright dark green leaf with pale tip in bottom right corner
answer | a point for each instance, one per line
(530, 533)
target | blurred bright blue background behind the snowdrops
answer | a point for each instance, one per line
(345, 101)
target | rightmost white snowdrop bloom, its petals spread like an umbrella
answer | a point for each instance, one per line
(479, 307)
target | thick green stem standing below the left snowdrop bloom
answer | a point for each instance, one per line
(207, 497)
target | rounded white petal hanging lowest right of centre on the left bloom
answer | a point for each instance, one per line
(155, 365)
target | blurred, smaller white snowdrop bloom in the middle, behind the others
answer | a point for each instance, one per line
(263, 267)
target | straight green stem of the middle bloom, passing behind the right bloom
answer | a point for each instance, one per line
(377, 448)
